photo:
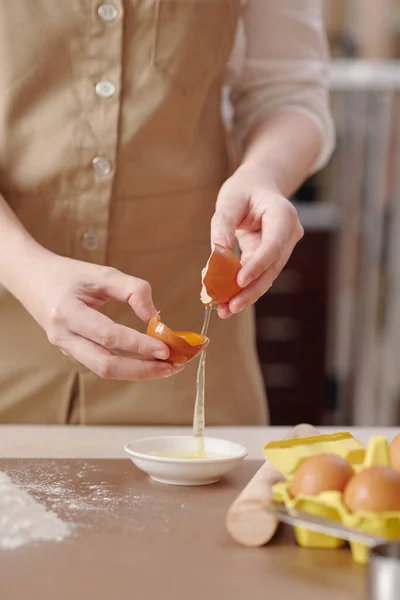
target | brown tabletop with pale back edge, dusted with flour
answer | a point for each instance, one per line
(135, 538)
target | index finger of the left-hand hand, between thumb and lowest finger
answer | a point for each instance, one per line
(94, 326)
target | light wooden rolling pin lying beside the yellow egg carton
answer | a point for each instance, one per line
(247, 520)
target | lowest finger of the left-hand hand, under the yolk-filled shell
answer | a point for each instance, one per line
(110, 366)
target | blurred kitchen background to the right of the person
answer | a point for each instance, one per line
(329, 329)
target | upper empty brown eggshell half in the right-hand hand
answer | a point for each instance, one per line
(219, 276)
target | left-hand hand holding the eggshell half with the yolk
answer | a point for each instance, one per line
(62, 295)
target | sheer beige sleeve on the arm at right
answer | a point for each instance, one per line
(284, 66)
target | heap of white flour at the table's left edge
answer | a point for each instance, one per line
(24, 520)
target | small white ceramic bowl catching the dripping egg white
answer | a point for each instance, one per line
(185, 471)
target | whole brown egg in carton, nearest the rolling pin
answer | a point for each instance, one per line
(321, 473)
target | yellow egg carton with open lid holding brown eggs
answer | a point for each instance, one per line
(287, 455)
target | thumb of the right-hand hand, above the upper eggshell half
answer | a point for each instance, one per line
(230, 211)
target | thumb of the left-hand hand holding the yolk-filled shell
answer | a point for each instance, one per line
(125, 288)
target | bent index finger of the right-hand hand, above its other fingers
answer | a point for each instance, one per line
(275, 236)
